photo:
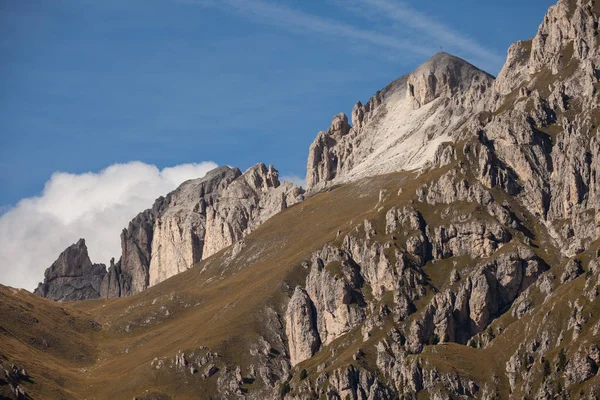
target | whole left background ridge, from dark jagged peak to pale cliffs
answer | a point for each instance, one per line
(197, 220)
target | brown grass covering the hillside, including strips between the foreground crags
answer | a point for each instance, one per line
(104, 348)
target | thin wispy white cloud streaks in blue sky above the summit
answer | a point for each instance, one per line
(431, 32)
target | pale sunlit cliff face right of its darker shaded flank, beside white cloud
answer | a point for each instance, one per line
(204, 216)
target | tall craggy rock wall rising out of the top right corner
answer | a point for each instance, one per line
(541, 139)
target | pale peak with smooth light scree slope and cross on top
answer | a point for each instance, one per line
(401, 126)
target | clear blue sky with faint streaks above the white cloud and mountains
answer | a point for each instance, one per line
(86, 84)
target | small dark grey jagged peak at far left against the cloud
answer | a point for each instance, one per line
(72, 276)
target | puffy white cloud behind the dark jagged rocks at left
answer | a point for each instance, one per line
(94, 206)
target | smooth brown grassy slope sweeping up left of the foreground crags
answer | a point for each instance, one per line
(227, 303)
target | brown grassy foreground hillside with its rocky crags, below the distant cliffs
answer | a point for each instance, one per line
(409, 291)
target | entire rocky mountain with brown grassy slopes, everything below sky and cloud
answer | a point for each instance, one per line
(447, 247)
